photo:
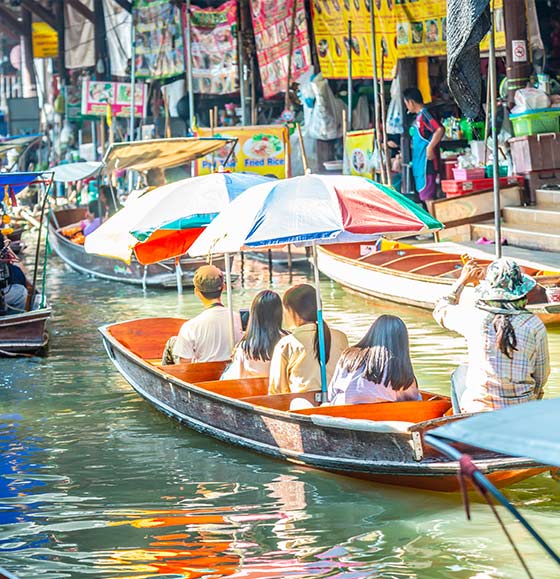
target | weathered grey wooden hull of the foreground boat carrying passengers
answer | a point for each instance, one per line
(362, 448)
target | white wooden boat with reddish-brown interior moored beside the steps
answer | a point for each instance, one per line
(417, 276)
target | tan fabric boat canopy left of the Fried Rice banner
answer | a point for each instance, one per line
(161, 153)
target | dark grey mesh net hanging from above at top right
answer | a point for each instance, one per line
(468, 21)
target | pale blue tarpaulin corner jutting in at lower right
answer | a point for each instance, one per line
(529, 430)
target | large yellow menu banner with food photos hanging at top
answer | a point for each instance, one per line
(403, 29)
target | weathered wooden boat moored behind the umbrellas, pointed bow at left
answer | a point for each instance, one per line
(161, 274)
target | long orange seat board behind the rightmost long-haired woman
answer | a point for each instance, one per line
(417, 411)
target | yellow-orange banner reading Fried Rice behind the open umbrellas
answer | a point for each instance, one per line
(263, 149)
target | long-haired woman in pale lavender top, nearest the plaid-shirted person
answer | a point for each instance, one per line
(377, 368)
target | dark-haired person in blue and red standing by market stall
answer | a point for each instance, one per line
(426, 133)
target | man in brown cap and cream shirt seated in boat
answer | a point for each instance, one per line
(205, 338)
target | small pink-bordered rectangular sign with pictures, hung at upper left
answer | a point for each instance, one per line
(98, 96)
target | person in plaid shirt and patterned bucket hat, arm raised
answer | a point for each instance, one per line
(508, 360)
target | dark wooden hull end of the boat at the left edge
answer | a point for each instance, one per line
(25, 334)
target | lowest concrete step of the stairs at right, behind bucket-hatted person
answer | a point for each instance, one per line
(544, 238)
